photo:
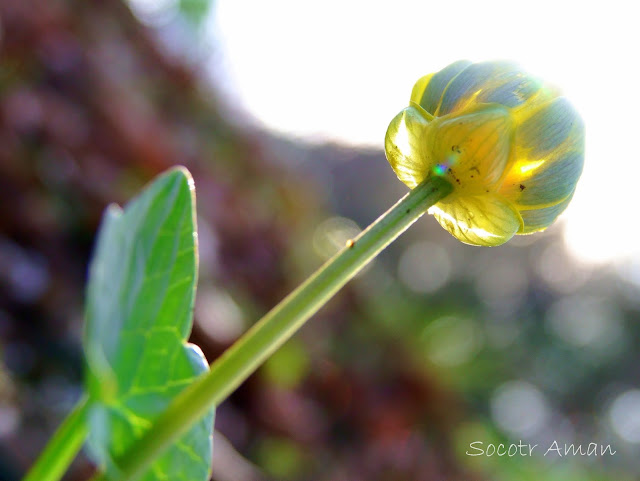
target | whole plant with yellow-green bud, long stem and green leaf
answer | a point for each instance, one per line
(486, 148)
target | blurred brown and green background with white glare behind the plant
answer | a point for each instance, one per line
(279, 110)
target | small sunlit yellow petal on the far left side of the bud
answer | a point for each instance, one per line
(405, 146)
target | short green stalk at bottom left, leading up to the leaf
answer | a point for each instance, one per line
(63, 446)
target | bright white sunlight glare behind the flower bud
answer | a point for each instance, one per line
(339, 70)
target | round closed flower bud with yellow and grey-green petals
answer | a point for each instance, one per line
(511, 146)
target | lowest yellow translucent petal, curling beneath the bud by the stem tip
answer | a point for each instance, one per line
(481, 220)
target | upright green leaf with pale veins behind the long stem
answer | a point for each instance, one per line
(139, 314)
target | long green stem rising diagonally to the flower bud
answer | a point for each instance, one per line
(276, 327)
